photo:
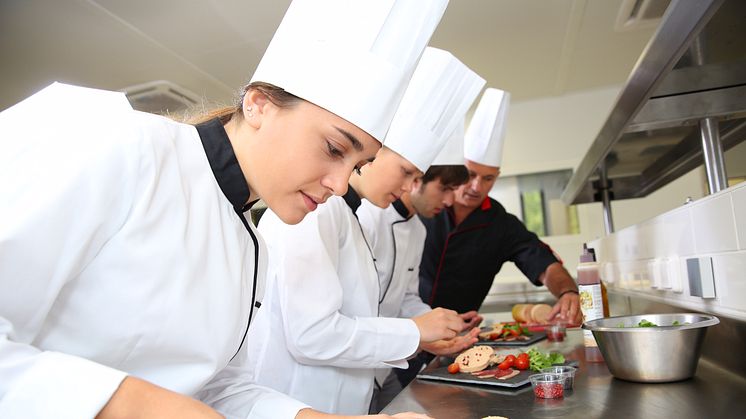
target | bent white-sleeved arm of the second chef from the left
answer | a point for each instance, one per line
(311, 297)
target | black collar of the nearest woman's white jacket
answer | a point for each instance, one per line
(224, 164)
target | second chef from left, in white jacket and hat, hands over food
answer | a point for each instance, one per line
(318, 336)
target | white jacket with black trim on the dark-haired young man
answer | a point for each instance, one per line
(397, 240)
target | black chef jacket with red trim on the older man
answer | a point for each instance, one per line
(459, 263)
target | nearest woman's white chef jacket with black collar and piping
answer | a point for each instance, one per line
(121, 253)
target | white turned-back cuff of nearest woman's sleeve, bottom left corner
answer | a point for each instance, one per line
(61, 386)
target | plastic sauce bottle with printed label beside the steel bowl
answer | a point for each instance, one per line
(591, 300)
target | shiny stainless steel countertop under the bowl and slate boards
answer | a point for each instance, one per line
(711, 393)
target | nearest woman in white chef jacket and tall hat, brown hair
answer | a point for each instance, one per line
(128, 271)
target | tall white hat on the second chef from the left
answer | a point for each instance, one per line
(441, 90)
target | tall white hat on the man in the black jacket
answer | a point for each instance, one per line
(484, 138)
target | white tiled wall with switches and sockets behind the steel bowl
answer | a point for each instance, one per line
(649, 259)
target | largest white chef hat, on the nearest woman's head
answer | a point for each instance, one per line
(353, 58)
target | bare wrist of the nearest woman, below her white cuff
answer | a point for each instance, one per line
(136, 398)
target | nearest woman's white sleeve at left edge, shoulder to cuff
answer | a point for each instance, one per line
(61, 197)
